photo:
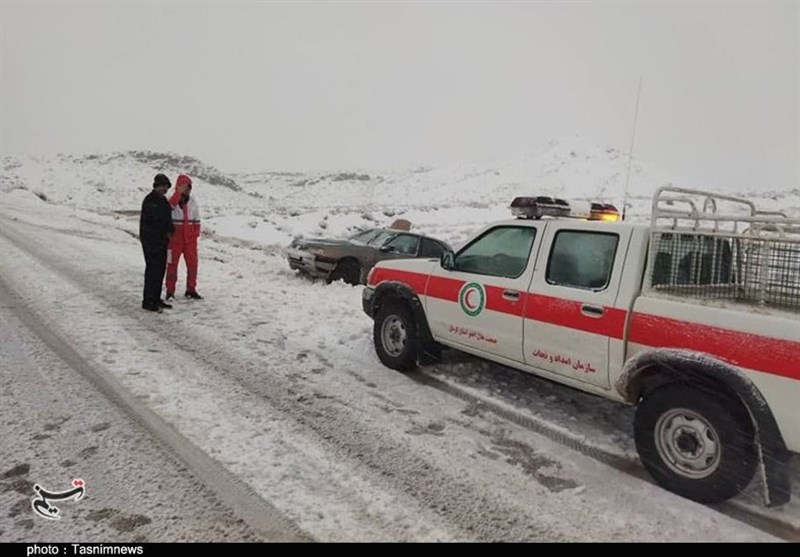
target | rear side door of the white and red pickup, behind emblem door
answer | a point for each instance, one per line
(570, 315)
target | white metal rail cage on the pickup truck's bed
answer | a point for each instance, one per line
(718, 247)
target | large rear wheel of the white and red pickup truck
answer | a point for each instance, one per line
(698, 445)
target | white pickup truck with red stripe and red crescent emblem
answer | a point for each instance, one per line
(694, 318)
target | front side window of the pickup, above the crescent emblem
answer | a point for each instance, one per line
(500, 252)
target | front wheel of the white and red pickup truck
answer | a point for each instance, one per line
(395, 336)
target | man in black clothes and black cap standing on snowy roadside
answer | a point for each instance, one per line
(155, 229)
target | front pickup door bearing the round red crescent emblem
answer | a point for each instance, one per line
(478, 305)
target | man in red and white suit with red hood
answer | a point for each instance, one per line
(186, 219)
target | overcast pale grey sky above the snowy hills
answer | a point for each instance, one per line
(293, 86)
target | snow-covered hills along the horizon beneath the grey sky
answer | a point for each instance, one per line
(449, 202)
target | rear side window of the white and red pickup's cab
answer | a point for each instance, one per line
(582, 259)
